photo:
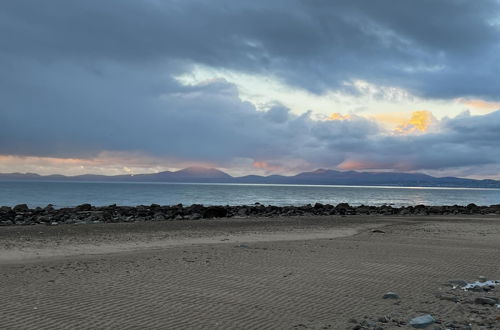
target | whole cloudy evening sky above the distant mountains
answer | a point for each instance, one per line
(260, 87)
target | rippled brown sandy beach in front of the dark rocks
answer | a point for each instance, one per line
(327, 272)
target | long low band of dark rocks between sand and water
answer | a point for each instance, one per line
(86, 213)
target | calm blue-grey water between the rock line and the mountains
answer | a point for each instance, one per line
(73, 193)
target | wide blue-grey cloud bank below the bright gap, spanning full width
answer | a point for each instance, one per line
(70, 111)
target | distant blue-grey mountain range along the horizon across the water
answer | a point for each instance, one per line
(318, 177)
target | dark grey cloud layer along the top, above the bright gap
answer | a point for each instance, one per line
(435, 48)
